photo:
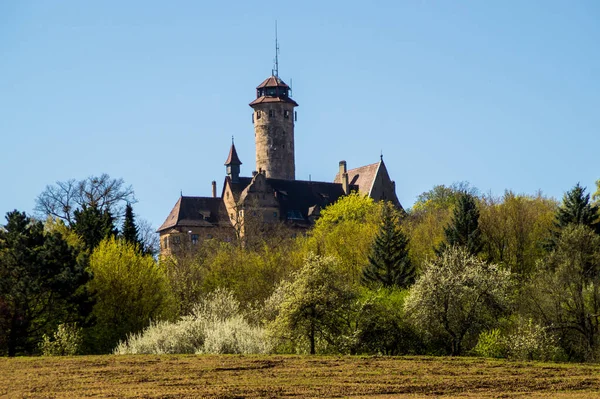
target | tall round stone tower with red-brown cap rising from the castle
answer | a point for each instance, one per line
(273, 120)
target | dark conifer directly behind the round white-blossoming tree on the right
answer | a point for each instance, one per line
(464, 229)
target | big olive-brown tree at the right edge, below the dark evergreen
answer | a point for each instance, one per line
(565, 294)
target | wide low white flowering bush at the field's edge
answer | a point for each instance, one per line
(216, 325)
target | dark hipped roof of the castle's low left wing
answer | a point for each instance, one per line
(196, 212)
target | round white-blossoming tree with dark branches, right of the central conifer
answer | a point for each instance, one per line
(457, 297)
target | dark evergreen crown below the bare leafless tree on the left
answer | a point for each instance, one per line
(93, 225)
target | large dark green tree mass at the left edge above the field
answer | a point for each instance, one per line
(42, 283)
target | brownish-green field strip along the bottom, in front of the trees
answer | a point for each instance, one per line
(185, 376)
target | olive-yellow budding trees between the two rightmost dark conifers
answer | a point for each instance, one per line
(513, 229)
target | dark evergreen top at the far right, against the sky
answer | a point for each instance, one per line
(577, 209)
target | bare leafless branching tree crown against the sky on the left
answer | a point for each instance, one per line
(102, 192)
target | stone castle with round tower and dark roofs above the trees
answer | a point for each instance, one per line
(272, 194)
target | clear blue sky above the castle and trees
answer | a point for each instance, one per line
(503, 94)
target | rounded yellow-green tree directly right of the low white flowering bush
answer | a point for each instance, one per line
(316, 308)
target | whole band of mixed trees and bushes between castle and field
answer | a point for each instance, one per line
(460, 273)
